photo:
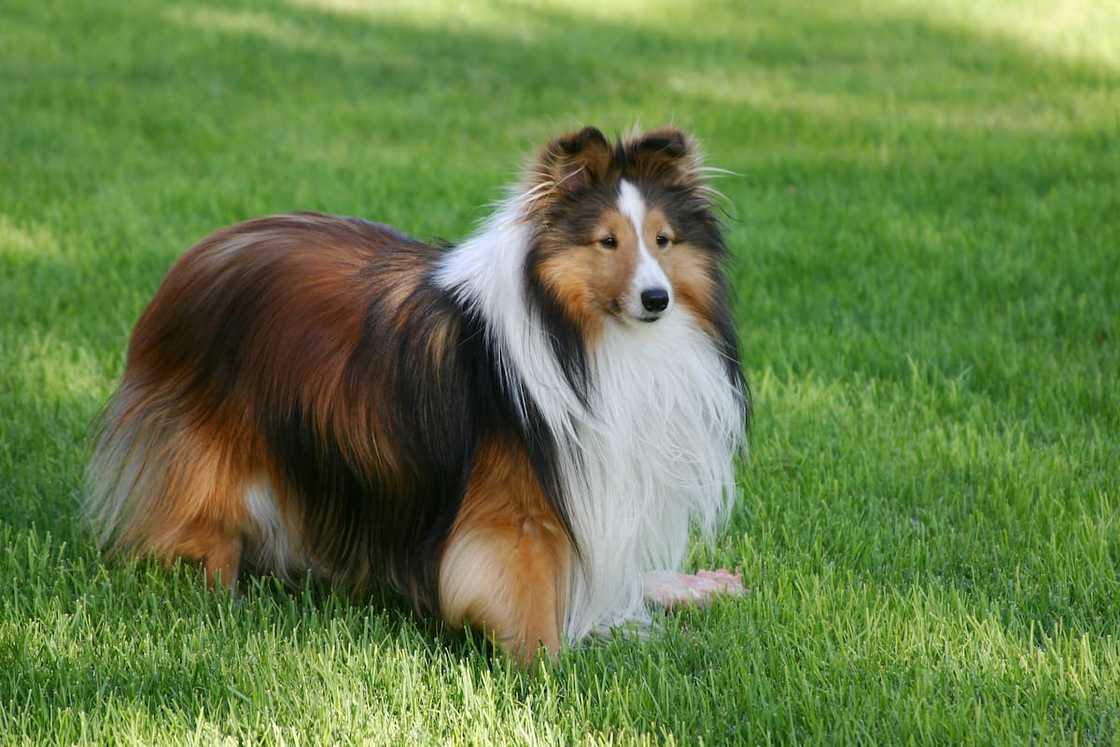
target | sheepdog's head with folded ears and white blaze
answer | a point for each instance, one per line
(624, 231)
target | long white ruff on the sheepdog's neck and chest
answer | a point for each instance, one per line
(651, 455)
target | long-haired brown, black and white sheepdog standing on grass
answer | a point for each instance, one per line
(517, 433)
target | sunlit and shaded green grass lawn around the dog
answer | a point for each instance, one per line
(927, 238)
